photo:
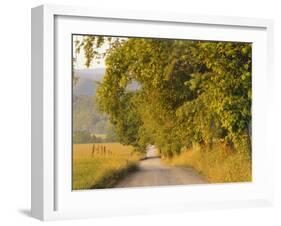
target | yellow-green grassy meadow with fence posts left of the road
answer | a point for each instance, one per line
(103, 165)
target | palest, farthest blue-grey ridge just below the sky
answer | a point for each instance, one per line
(87, 81)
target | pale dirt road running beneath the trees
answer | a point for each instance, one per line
(153, 172)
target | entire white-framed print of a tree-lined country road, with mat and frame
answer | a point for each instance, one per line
(136, 112)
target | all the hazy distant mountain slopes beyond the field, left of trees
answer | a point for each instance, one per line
(86, 116)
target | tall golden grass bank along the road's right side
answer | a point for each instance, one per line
(220, 164)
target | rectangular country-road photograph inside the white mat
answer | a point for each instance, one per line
(150, 111)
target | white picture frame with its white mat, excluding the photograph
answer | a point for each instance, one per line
(51, 198)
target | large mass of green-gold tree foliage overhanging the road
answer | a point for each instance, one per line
(190, 92)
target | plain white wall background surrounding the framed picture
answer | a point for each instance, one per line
(15, 112)
